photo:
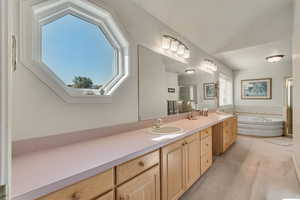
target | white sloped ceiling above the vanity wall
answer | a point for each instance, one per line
(220, 26)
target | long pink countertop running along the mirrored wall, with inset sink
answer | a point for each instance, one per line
(39, 173)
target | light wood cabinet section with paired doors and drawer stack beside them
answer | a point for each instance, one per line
(183, 162)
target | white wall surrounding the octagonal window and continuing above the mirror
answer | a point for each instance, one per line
(39, 112)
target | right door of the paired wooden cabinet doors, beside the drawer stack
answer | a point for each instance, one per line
(192, 153)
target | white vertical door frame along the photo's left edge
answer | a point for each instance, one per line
(6, 94)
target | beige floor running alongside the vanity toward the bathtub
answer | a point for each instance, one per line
(252, 169)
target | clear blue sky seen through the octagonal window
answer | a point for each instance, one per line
(73, 47)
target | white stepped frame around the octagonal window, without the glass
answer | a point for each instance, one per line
(34, 14)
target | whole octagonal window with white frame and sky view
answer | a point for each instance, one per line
(75, 47)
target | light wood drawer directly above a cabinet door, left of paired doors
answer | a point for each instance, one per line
(134, 167)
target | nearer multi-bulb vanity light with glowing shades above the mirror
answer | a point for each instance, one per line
(176, 46)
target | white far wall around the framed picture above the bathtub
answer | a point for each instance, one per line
(278, 72)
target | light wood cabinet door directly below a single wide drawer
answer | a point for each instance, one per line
(143, 187)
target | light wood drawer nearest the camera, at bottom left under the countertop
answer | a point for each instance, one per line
(85, 190)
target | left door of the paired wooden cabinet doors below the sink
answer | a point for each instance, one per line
(173, 171)
